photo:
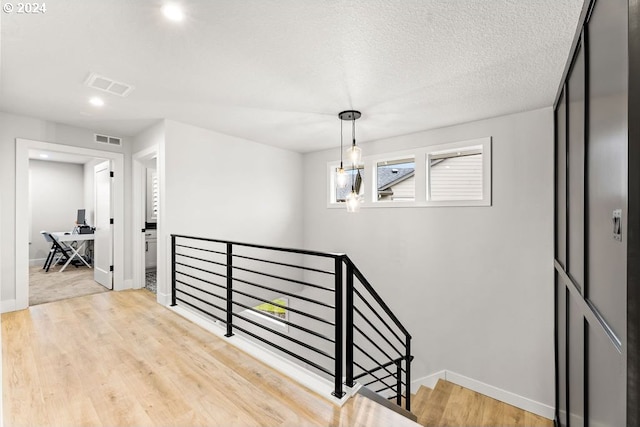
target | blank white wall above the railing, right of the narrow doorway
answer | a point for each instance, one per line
(217, 186)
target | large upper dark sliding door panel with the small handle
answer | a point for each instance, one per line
(607, 160)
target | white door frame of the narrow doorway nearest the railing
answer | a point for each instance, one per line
(139, 205)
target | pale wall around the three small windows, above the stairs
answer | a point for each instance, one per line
(474, 285)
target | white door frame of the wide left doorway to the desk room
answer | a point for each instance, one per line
(22, 208)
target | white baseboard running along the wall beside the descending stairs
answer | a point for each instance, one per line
(486, 389)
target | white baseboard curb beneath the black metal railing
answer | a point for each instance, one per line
(297, 373)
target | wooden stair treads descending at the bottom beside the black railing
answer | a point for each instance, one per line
(449, 404)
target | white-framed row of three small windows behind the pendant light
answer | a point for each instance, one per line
(451, 174)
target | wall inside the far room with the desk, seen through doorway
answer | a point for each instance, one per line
(55, 195)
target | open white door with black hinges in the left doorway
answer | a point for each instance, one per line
(102, 246)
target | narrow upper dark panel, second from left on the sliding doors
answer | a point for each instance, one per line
(575, 174)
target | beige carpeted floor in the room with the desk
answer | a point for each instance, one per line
(55, 285)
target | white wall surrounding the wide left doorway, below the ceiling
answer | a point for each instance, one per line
(15, 126)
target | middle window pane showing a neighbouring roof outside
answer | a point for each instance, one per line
(396, 180)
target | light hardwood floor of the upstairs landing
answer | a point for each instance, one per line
(120, 359)
